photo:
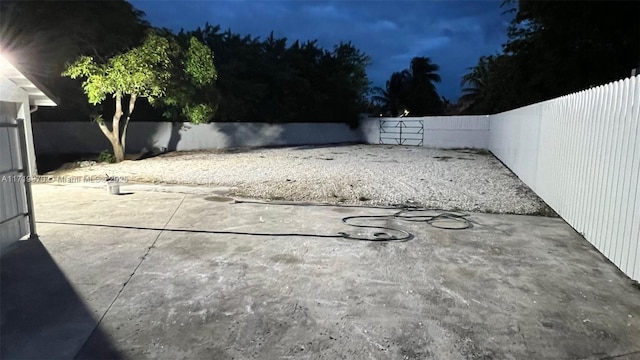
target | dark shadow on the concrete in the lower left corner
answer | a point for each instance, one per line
(42, 317)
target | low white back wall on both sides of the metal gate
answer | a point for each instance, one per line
(85, 137)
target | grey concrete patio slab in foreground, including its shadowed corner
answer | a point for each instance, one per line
(183, 276)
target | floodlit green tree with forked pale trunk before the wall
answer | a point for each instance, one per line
(149, 71)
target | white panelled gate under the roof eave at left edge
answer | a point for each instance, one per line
(16, 205)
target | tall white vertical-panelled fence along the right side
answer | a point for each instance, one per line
(581, 154)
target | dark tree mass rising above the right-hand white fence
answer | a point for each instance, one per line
(555, 48)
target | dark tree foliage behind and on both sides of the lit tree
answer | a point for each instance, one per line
(258, 80)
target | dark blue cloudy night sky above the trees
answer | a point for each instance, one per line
(454, 34)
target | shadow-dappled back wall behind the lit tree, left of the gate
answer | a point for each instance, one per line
(81, 137)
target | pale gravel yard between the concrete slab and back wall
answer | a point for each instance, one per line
(465, 180)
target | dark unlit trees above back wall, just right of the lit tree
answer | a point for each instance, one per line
(271, 81)
